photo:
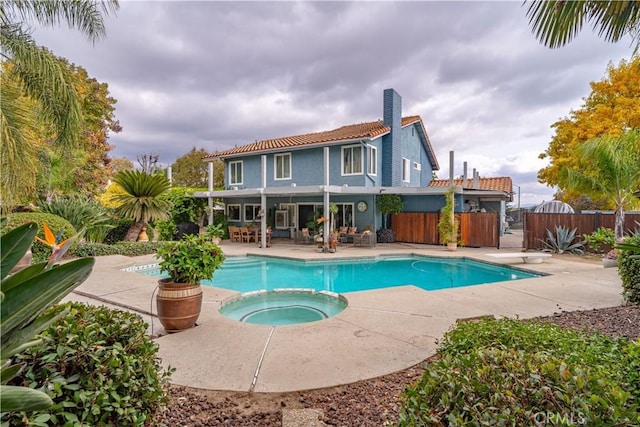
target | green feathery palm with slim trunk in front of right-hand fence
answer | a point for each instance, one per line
(609, 167)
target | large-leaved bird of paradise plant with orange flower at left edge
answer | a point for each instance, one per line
(25, 296)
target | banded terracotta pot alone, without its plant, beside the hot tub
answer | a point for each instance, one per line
(178, 304)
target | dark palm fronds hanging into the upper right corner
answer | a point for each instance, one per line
(557, 22)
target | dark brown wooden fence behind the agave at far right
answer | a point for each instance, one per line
(535, 225)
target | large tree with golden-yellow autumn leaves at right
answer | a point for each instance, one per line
(612, 107)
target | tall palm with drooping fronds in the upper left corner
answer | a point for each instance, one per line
(33, 71)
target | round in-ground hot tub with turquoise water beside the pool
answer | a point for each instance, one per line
(283, 306)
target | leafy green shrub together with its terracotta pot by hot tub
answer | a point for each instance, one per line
(187, 262)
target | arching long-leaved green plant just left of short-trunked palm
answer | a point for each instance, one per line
(81, 212)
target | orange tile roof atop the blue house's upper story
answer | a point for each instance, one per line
(362, 130)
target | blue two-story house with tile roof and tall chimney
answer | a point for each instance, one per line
(289, 182)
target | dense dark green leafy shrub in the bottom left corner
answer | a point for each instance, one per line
(99, 367)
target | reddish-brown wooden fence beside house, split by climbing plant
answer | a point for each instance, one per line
(477, 229)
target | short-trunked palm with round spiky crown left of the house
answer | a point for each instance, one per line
(140, 201)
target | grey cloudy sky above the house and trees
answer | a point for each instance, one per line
(214, 75)
